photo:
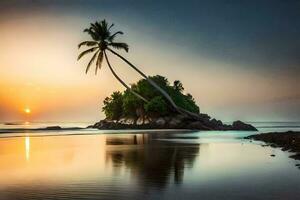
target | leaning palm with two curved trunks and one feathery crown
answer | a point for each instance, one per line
(103, 40)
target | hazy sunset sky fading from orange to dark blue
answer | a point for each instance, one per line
(239, 59)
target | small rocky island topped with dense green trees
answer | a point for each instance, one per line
(124, 110)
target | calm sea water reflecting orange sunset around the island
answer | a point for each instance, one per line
(93, 164)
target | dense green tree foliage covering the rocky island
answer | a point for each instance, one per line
(128, 104)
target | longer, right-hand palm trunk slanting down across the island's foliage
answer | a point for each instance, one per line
(164, 93)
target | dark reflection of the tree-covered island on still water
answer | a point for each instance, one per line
(153, 163)
